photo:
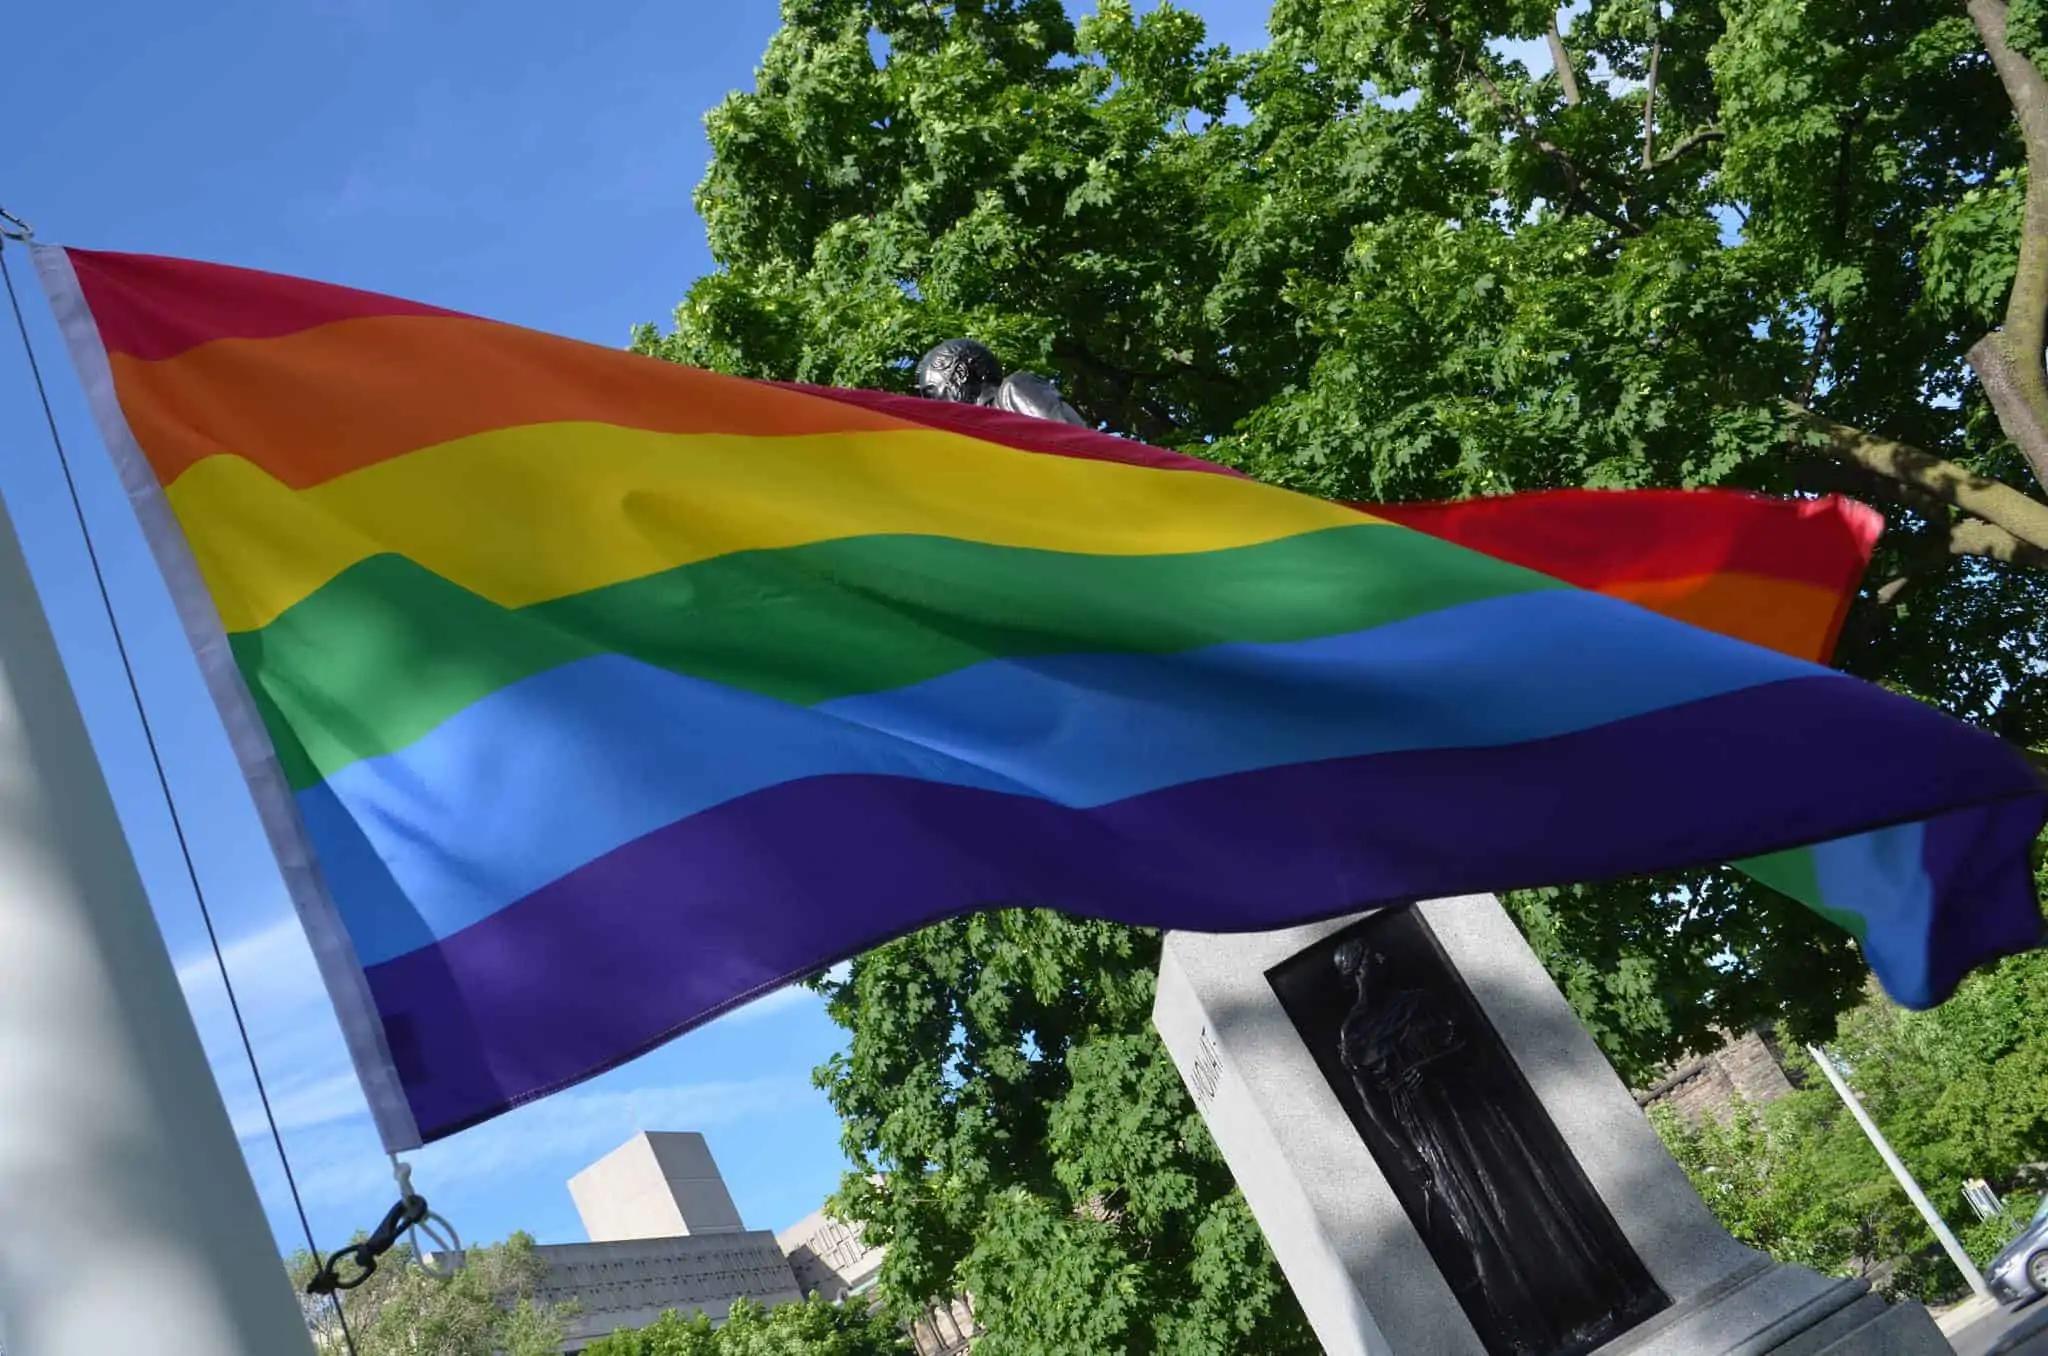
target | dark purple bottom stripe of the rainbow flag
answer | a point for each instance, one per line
(695, 919)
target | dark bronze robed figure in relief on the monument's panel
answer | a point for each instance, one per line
(1486, 1193)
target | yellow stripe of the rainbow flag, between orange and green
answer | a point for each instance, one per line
(544, 511)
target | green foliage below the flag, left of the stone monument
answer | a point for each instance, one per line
(1021, 1134)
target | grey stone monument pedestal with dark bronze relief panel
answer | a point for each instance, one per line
(1447, 1167)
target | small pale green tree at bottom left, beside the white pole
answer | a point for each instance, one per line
(484, 1310)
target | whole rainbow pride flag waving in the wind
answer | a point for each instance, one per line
(589, 697)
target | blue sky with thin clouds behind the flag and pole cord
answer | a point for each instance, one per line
(521, 161)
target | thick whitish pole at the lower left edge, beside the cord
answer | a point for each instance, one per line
(128, 1216)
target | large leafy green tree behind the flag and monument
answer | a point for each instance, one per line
(1768, 243)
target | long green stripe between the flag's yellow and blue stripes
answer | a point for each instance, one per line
(388, 650)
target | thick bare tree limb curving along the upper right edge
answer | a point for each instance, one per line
(2010, 362)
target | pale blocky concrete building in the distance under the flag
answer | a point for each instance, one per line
(665, 1234)
